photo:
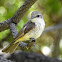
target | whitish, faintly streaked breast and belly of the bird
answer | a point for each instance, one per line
(39, 27)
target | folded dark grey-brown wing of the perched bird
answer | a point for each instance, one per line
(25, 29)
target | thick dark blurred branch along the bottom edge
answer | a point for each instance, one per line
(31, 57)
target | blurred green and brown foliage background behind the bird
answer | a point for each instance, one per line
(50, 42)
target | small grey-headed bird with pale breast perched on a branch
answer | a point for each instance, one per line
(31, 30)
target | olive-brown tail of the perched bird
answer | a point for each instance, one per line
(11, 47)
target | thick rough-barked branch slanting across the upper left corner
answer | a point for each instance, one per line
(18, 15)
